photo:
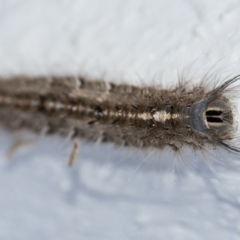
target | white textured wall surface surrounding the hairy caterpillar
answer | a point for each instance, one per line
(109, 194)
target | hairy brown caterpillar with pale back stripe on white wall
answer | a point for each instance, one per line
(126, 115)
